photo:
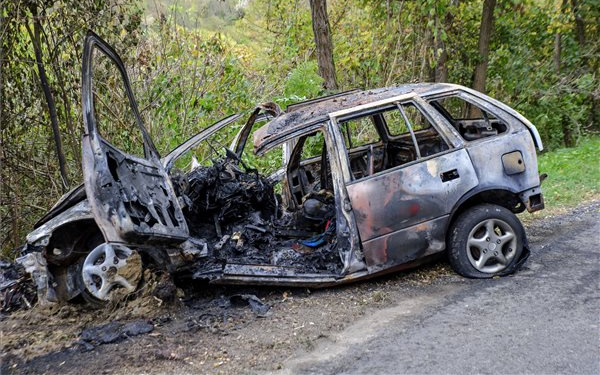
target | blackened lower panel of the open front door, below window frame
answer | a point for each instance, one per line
(132, 199)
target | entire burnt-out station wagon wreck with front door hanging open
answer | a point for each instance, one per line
(370, 182)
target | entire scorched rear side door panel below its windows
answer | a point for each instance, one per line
(414, 197)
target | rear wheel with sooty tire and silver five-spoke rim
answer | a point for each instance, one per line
(486, 241)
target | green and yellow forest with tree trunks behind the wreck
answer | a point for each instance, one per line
(194, 62)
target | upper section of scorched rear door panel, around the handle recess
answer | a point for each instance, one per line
(404, 196)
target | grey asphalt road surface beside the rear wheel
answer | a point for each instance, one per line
(543, 320)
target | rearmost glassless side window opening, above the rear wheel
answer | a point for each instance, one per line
(471, 121)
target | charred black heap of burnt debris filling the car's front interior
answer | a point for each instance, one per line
(240, 216)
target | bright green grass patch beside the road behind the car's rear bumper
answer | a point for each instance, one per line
(573, 174)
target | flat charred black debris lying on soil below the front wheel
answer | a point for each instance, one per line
(112, 332)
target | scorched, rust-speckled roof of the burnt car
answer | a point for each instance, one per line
(306, 116)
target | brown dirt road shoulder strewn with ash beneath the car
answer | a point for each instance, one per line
(209, 332)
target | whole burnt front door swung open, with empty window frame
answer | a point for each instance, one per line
(131, 197)
